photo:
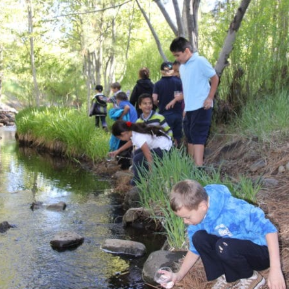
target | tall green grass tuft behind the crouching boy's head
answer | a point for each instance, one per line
(155, 187)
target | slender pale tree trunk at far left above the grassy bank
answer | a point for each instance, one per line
(32, 57)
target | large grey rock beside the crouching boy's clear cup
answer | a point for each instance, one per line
(159, 259)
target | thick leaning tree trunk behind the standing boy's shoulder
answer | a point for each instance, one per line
(230, 39)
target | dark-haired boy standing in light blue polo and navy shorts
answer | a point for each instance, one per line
(196, 74)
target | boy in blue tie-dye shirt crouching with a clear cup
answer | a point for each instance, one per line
(232, 237)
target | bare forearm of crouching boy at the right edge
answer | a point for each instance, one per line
(275, 278)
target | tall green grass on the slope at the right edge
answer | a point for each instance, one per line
(265, 117)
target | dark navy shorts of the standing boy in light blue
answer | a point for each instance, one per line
(197, 125)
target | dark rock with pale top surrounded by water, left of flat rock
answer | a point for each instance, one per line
(66, 240)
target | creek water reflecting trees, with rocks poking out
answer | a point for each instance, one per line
(26, 259)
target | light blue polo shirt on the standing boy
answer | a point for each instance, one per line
(195, 75)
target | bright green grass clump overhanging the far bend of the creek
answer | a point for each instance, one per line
(70, 126)
